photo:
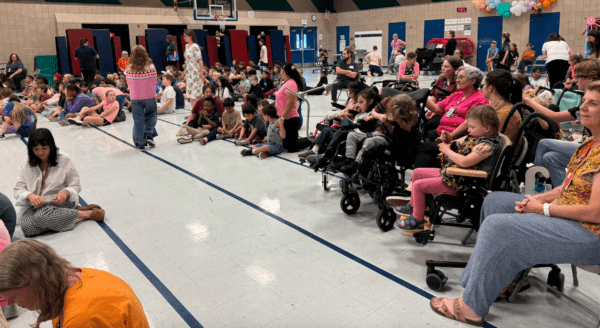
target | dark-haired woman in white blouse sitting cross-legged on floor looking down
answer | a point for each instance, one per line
(48, 185)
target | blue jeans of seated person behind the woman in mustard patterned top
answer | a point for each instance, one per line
(555, 155)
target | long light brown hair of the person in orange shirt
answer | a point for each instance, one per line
(33, 264)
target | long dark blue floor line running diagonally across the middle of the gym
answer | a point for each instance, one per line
(291, 225)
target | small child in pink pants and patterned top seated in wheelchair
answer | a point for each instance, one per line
(478, 151)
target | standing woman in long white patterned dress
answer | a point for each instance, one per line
(193, 67)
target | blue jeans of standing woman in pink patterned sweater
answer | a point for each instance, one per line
(144, 120)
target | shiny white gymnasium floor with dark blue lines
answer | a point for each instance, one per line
(208, 238)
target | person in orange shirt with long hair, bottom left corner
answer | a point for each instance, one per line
(70, 297)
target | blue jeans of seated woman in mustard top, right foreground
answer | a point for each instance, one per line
(509, 242)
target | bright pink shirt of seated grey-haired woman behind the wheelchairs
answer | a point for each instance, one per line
(455, 109)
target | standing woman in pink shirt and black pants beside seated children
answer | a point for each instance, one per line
(287, 105)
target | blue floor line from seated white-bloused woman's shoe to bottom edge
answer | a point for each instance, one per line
(162, 289)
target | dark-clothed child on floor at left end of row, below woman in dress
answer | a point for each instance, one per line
(204, 128)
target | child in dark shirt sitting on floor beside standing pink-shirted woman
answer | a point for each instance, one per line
(273, 142)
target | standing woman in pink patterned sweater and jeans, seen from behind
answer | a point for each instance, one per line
(141, 78)
